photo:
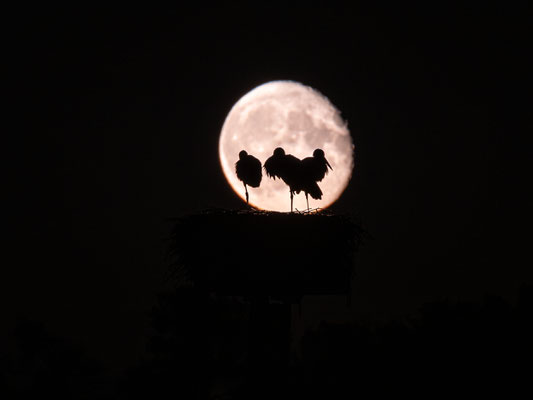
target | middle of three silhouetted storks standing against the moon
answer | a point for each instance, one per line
(286, 167)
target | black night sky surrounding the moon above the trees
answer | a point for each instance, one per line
(116, 121)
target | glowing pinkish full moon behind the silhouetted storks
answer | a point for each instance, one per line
(298, 118)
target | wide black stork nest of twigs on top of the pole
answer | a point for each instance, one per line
(250, 252)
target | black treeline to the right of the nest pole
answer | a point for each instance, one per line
(449, 347)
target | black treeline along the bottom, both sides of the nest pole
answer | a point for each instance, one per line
(197, 348)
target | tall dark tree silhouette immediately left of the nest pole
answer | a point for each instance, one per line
(196, 347)
